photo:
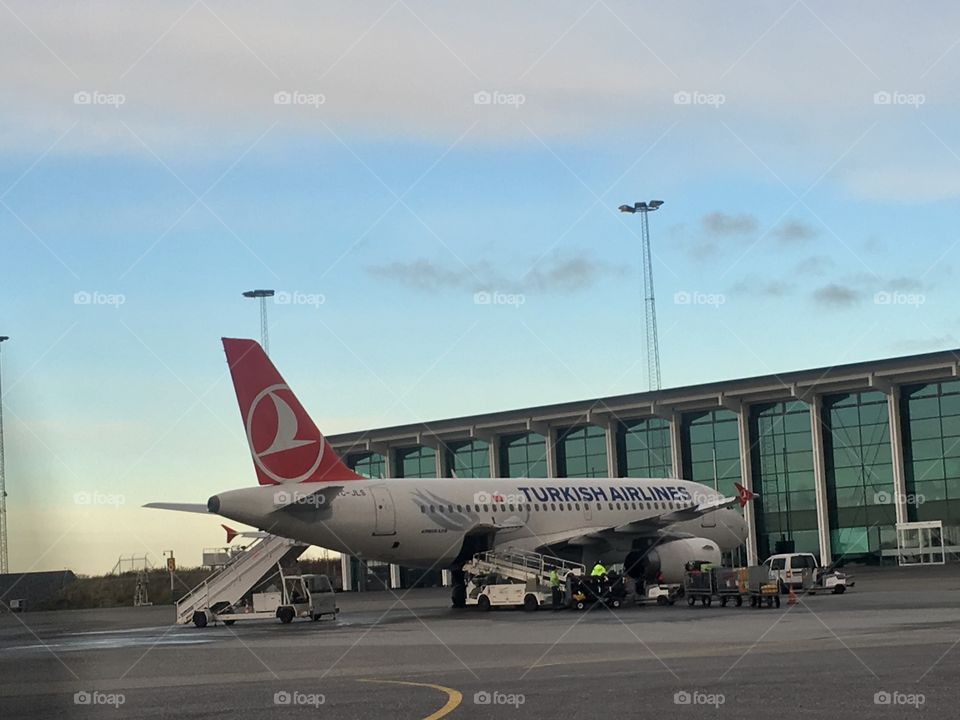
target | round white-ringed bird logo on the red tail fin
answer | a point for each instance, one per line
(276, 441)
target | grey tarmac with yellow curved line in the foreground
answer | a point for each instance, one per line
(886, 648)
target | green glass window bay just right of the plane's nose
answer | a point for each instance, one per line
(781, 460)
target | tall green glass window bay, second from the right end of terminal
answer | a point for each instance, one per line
(859, 470)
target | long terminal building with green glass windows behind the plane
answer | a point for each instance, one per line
(839, 456)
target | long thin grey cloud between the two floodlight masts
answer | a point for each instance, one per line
(554, 273)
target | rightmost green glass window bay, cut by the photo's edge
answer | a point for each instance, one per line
(930, 416)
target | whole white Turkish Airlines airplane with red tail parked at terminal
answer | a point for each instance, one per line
(654, 526)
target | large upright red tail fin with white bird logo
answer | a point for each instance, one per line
(285, 444)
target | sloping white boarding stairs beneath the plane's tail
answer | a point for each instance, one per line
(239, 576)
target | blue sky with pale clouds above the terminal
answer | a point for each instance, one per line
(432, 190)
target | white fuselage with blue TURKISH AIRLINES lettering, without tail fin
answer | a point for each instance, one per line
(423, 522)
